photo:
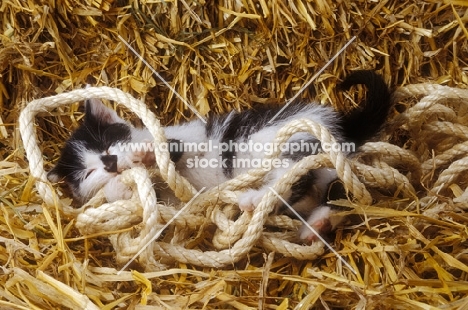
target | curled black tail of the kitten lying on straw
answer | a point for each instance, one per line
(366, 120)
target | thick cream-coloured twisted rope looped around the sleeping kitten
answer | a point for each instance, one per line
(379, 165)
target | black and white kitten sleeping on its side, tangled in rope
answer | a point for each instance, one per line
(223, 148)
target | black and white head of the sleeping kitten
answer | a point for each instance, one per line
(93, 155)
